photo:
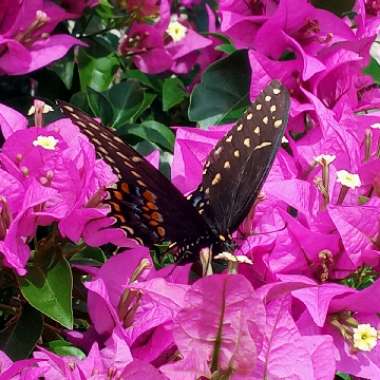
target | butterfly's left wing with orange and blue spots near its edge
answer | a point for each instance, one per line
(145, 203)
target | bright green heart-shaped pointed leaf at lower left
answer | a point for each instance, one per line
(49, 290)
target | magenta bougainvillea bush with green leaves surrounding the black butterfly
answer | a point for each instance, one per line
(299, 299)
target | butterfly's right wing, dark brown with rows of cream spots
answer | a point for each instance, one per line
(240, 162)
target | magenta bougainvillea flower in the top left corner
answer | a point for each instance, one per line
(26, 43)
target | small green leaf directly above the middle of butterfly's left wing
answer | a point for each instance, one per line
(153, 132)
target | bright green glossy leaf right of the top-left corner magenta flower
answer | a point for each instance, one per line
(96, 73)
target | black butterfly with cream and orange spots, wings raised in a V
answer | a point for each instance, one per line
(151, 209)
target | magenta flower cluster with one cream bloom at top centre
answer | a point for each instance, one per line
(168, 43)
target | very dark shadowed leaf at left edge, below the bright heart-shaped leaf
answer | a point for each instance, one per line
(19, 341)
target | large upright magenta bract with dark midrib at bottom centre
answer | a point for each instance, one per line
(218, 330)
